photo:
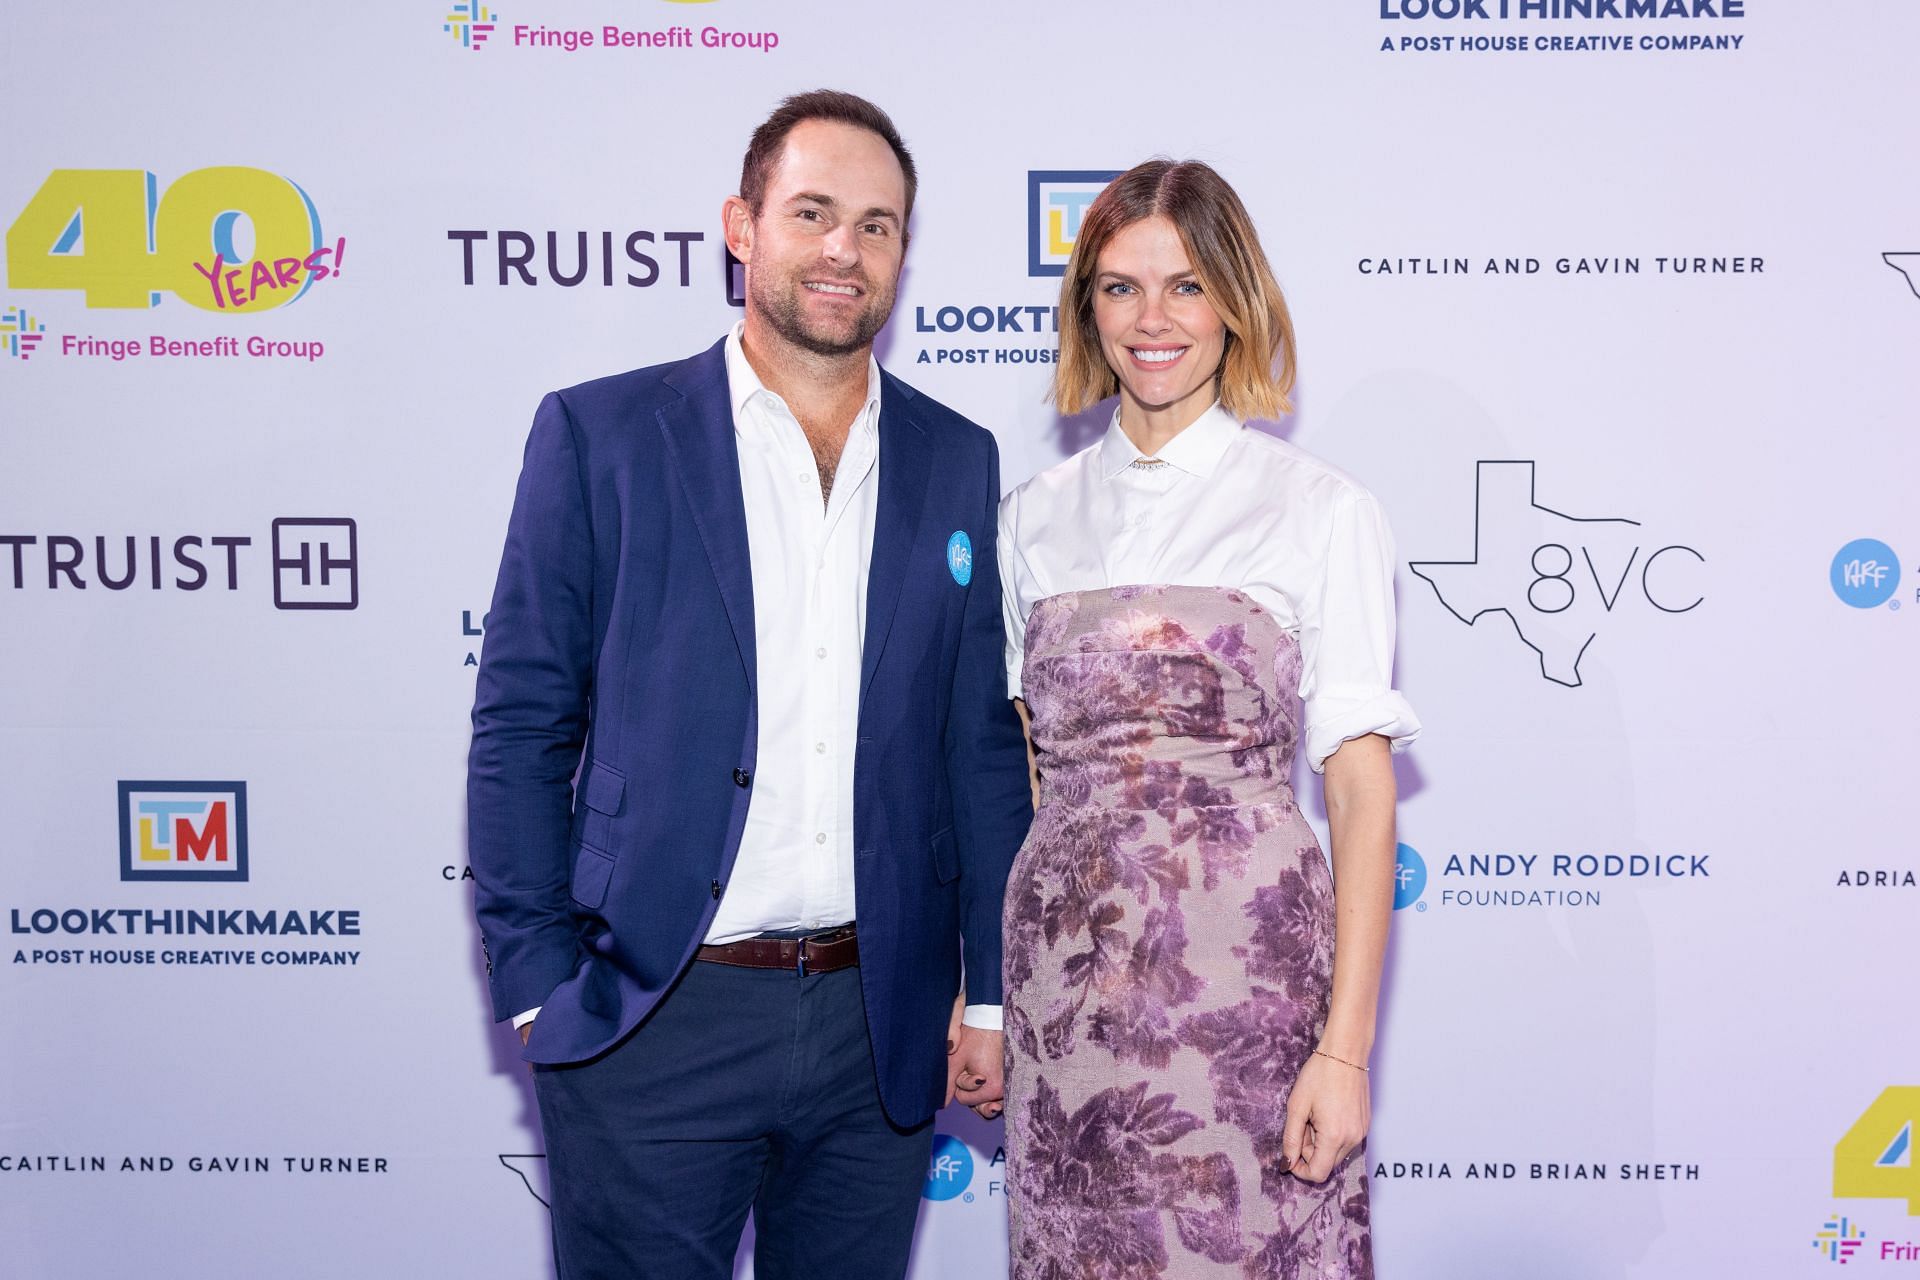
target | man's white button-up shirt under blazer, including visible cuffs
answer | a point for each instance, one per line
(809, 623)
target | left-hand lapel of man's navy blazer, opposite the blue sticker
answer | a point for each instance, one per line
(702, 446)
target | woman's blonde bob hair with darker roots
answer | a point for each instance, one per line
(1257, 367)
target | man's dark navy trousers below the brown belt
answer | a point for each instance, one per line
(746, 1089)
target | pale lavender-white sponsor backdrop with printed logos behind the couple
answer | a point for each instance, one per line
(1616, 304)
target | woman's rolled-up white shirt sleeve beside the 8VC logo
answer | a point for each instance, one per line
(1347, 638)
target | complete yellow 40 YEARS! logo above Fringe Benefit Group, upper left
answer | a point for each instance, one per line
(226, 239)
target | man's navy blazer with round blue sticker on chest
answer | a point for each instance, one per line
(615, 721)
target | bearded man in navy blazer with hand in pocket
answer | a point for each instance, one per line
(746, 782)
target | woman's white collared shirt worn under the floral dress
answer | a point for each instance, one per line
(1224, 508)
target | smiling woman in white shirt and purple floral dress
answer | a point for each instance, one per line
(1189, 1003)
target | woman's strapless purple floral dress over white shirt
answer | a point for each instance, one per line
(1168, 953)
